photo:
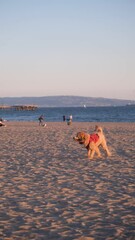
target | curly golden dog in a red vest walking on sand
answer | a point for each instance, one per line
(93, 141)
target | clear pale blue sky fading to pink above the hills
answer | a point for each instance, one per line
(67, 47)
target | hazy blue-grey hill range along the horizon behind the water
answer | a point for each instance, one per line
(64, 101)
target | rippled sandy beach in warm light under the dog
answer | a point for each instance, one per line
(50, 190)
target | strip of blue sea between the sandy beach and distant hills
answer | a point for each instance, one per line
(79, 114)
